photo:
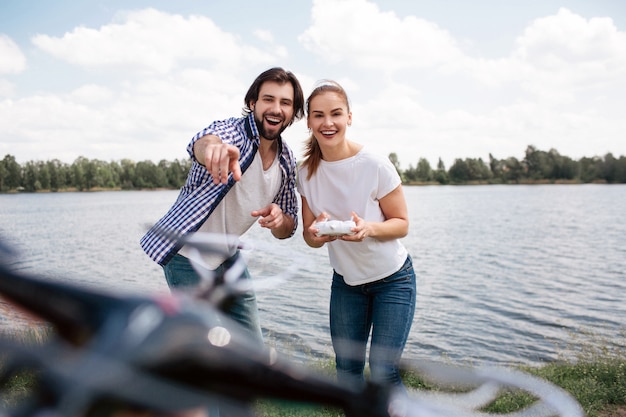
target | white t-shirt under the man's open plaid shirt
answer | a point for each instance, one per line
(255, 190)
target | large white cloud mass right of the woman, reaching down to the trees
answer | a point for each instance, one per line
(556, 87)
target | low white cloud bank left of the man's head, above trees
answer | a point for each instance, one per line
(149, 119)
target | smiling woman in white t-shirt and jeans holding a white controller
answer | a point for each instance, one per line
(373, 287)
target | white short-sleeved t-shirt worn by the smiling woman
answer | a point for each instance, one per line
(355, 184)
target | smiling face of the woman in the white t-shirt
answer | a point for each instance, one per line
(328, 118)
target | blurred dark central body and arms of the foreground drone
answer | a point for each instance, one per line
(176, 338)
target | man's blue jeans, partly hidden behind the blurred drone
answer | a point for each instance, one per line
(180, 273)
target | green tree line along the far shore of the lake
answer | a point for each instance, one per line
(91, 174)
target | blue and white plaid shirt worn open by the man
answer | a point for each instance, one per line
(199, 196)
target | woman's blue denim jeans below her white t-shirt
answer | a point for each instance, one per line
(384, 307)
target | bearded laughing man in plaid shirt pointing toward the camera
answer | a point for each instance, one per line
(241, 171)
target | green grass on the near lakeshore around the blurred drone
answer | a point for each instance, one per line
(592, 369)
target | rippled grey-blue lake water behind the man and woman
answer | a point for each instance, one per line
(506, 274)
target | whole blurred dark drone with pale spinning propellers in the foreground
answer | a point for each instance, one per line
(168, 353)
